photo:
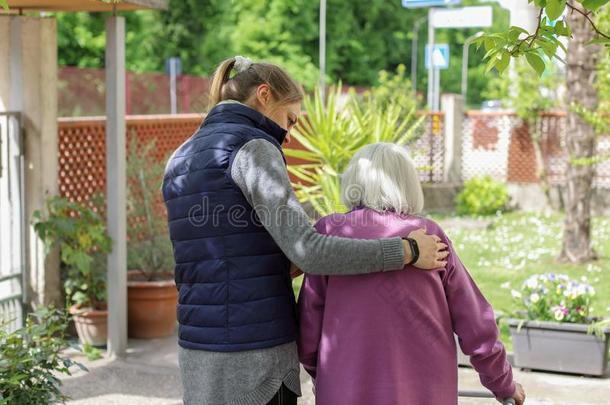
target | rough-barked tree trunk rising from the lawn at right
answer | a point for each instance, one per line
(580, 140)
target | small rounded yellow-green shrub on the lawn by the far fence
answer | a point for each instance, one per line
(482, 196)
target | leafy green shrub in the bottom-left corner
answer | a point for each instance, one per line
(31, 357)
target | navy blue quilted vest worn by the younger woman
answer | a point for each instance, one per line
(235, 291)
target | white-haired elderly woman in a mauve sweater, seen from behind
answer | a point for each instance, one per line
(388, 338)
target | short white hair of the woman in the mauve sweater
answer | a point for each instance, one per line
(382, 177)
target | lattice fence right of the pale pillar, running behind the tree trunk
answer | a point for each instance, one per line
(501, 145)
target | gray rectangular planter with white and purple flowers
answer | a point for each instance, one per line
(556, 331)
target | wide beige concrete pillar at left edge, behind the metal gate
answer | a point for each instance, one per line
(28, 83)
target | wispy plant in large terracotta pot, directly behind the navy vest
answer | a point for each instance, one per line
(151, 291)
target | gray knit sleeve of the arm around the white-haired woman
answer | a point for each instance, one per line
(259, 171)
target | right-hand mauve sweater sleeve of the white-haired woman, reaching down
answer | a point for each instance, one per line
(474, 323)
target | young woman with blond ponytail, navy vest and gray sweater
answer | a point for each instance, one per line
(236, 226)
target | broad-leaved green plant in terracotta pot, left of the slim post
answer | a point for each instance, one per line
(80, 234)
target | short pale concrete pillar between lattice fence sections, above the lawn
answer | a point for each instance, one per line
(453, 107)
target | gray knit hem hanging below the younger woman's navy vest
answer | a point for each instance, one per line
(238, 378)
